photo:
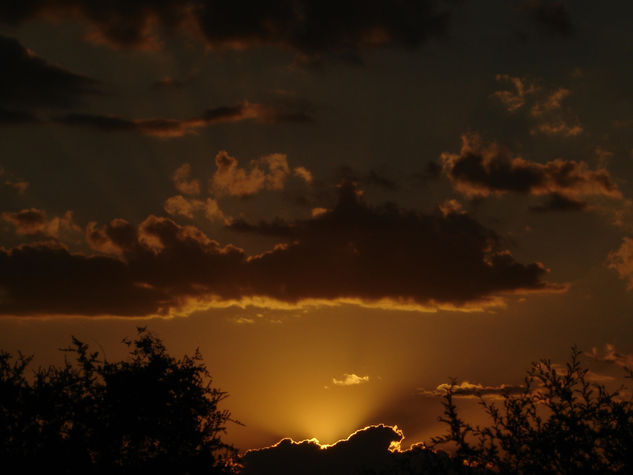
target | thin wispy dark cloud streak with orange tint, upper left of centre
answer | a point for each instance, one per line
(168, 128)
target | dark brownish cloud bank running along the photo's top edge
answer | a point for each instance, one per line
(311, 27)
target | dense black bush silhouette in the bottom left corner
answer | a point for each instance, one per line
(148, 414)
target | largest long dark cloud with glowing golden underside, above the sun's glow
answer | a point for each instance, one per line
(353, 253)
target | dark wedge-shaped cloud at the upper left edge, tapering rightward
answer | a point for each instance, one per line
(28, 81)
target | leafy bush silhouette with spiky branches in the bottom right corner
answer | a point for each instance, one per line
(560, 423)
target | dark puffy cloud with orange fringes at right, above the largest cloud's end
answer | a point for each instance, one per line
(480, 170)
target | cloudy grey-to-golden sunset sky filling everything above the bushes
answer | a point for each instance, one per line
(341, 204)
